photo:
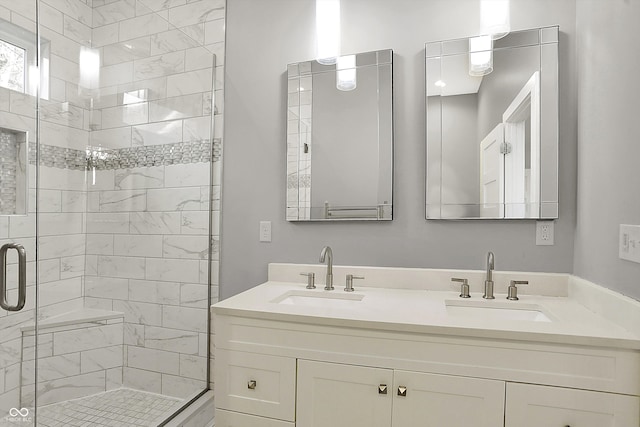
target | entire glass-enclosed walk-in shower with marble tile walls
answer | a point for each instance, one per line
(110, 132)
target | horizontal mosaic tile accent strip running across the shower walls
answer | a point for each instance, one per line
(126, 158)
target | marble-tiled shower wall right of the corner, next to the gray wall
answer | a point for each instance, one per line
(148, 221)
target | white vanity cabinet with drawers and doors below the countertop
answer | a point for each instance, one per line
(276, 371)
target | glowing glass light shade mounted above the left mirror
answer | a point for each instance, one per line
(327, 31)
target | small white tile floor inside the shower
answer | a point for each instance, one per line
(117, 408)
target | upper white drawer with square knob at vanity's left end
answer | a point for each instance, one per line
(256, 384)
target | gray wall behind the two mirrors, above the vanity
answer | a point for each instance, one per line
(264, 36)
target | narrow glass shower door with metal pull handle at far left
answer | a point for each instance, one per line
(19, 74)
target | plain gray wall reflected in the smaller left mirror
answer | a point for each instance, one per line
(344, 145)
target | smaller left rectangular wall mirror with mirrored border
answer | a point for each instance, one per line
(340, 138)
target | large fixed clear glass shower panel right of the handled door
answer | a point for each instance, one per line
(124, 236)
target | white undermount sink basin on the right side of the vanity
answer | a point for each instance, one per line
(496, 310)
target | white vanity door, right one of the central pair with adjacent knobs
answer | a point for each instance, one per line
(431, 400)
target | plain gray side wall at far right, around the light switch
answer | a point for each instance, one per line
(609, 149)
